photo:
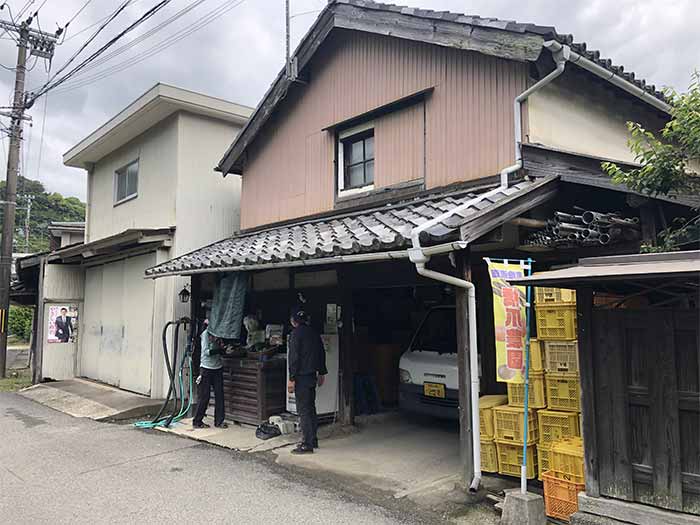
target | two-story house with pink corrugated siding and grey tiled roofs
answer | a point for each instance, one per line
(457, 136)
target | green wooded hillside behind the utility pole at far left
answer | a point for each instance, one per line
(46, 207)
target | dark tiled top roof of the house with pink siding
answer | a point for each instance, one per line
(548, 32)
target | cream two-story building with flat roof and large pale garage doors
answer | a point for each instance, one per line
(151, 196)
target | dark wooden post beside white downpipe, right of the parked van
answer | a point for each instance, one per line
(466, 452)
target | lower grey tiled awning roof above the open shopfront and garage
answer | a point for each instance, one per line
(379, 229)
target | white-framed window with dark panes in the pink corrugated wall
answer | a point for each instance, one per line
(356, 159)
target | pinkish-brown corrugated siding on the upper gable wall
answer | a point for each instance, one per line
(463, 130)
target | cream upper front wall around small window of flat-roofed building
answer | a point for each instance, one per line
(154, 207)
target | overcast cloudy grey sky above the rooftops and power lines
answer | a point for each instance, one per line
(238, 54)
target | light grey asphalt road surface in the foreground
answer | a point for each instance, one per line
(58, 469)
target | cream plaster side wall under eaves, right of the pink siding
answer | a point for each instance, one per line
(580, 116)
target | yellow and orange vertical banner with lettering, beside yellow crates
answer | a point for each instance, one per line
(509, 314)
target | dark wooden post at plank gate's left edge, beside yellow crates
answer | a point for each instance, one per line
(584, 307)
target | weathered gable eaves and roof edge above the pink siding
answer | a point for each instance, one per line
(503, 38)
